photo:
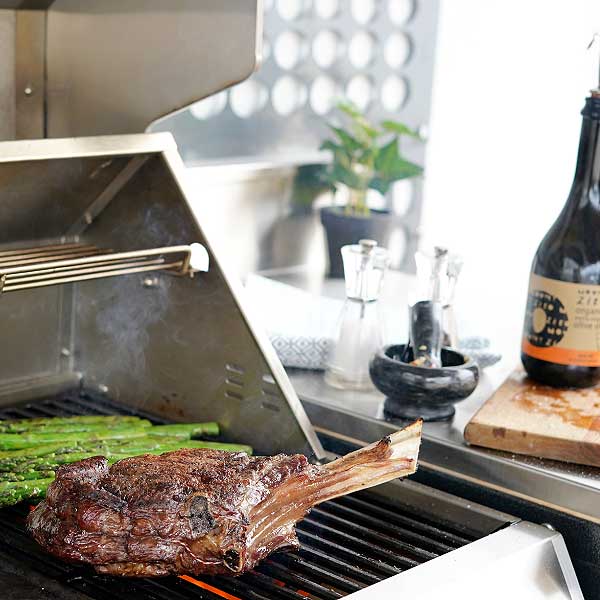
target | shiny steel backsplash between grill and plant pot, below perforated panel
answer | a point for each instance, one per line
(248, 212)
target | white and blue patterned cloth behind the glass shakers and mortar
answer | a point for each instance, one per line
(302, 326)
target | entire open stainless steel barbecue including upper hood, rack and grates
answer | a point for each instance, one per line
(100, 312)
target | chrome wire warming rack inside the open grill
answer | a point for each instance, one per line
(27, 268)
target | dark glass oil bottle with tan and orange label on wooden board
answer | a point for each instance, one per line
(561, 336)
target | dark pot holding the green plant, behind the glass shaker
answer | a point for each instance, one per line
(342, 229)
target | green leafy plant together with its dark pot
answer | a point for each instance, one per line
(365, 156)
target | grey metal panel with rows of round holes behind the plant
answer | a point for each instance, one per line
(379, 53)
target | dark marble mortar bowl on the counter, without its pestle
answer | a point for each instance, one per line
(428, 393)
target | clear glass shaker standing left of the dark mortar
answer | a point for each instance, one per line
(360, 330)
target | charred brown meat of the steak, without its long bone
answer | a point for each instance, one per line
(189, 511)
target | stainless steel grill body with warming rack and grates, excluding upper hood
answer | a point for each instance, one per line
(96, 235)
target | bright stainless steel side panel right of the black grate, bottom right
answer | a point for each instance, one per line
(523, 561)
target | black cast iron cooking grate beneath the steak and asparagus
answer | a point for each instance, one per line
(347, 544)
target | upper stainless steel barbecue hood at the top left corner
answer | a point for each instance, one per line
(85, 67)
